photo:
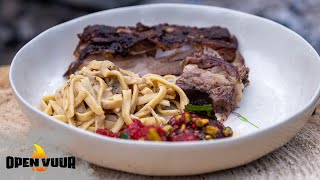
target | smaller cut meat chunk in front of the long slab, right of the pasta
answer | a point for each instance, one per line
(209, 79)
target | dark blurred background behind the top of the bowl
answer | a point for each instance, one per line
(21, 20)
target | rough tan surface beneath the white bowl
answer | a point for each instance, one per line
(298, 159)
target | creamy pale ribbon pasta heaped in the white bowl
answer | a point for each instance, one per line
(103, 96)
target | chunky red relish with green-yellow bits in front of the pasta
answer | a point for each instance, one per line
(184, 127)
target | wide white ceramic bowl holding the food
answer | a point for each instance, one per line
(284, 89)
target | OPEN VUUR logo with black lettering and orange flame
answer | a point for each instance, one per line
(40, 162)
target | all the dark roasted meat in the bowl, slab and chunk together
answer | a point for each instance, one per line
(211, 67)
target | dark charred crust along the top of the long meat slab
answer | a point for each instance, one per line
(110, 41)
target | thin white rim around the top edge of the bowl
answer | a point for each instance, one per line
(188, 144)
